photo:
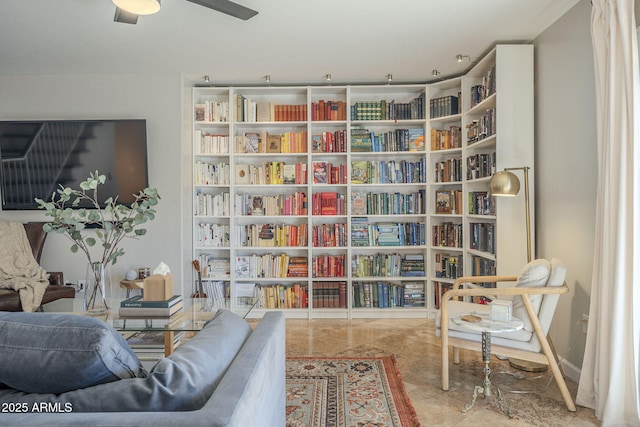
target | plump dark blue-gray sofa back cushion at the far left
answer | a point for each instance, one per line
(55, 353)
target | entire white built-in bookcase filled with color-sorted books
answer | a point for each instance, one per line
(356, 201)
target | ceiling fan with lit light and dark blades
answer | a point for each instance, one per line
(127, 11)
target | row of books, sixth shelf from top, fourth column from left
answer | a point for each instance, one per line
(387, 265)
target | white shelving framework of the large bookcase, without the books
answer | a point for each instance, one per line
(512, 143)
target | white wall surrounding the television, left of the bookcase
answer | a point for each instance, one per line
(154, 97)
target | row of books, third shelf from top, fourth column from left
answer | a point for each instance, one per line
(389, 172)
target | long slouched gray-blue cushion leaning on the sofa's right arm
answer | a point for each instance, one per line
(183, 381)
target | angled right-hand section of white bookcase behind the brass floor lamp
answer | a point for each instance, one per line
(495, 121)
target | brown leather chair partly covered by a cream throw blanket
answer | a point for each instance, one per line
(10, 299)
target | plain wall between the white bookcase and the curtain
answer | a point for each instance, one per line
(566, 162)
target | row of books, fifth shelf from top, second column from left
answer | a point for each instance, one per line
(272, 235)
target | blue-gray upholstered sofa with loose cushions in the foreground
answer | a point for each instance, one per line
(227, 375)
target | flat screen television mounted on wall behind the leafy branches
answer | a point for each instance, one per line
(36, 157)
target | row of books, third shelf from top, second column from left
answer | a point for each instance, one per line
(271, 173)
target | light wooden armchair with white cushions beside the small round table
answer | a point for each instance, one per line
(535, 297)
